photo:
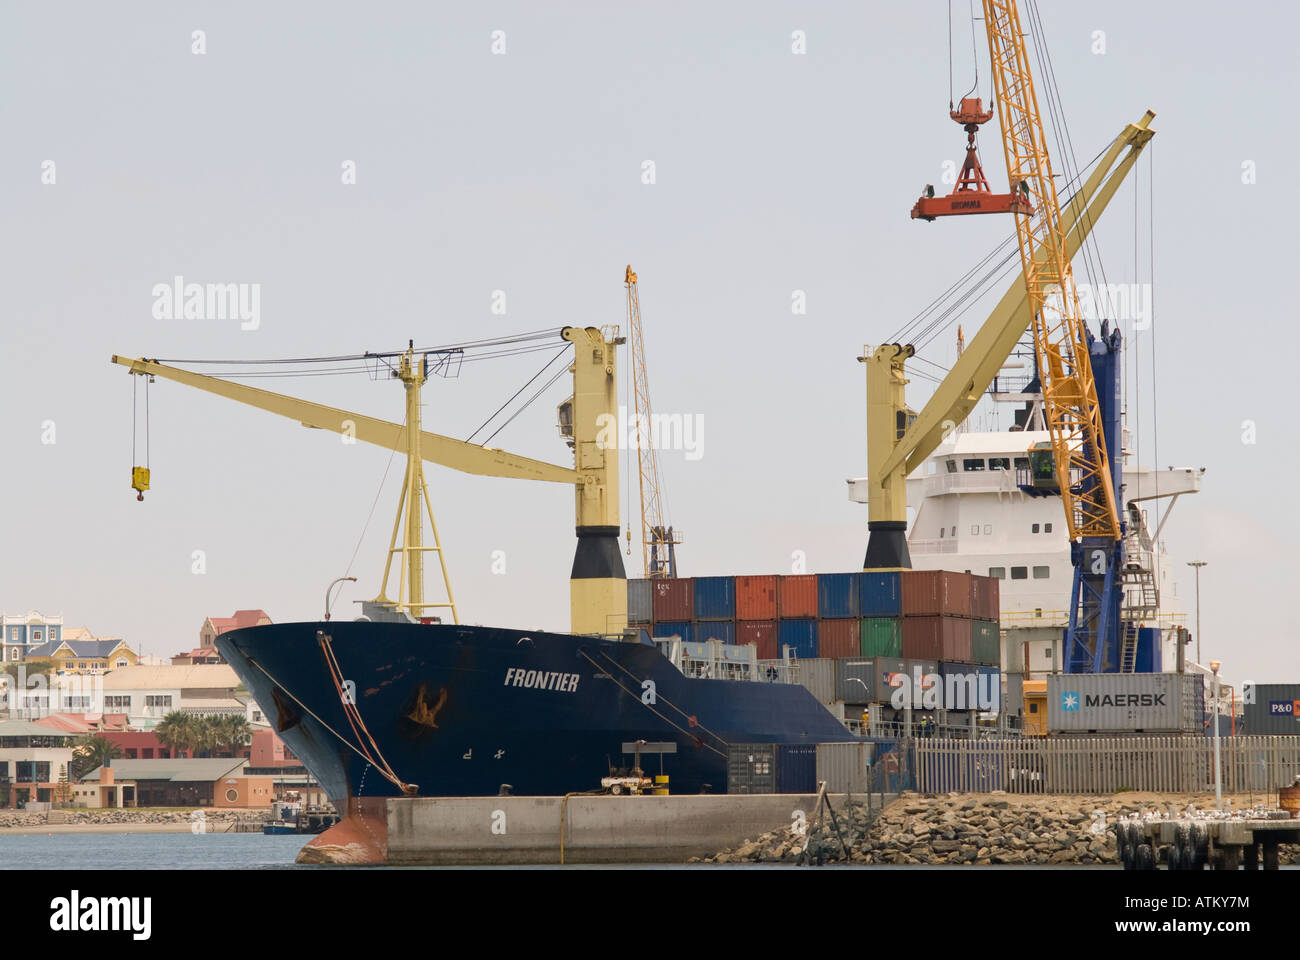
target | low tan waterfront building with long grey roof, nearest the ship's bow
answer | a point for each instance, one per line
(222, 784)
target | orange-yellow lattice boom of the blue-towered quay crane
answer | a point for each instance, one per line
(1069, 391)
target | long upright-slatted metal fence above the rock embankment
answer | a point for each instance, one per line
(1106, 766)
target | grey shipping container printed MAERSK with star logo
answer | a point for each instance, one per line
(1125, 703)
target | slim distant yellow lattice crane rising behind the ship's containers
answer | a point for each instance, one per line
(658, 539)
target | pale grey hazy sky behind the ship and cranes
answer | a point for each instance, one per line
(504, 148)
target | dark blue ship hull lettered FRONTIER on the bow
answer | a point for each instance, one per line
(462, 711)
